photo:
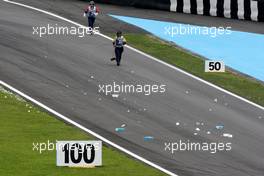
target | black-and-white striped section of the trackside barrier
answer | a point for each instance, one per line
(236, 9)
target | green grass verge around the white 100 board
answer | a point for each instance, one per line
(21, 124)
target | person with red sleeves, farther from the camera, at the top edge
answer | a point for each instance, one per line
(91, 12)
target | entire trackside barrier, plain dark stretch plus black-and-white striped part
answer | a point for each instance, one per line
(236, 9)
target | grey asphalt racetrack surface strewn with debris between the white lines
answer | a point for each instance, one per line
(64, 72)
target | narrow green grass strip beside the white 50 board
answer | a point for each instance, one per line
(238, 84)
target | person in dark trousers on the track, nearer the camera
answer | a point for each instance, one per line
(118, 43)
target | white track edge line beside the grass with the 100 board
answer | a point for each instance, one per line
(66, 119)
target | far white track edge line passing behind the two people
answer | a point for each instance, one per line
(144, 54)
